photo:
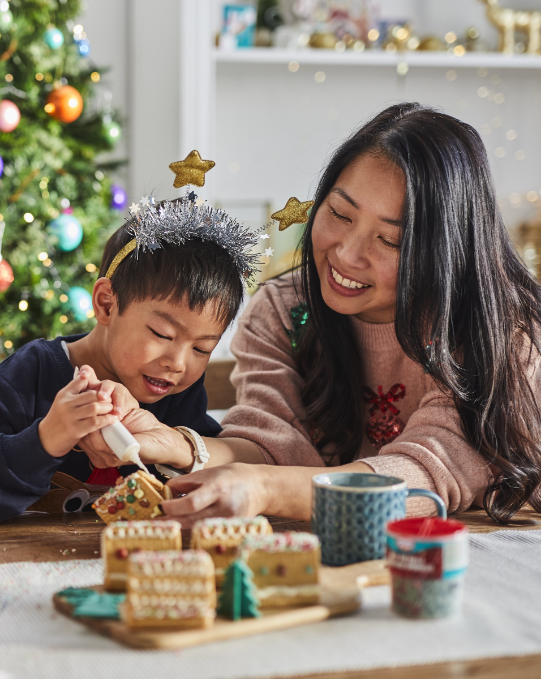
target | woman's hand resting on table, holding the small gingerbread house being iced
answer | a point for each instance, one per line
(230, 490)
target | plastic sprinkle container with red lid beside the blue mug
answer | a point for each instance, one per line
(428, 558)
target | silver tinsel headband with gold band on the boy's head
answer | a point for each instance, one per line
(176, 222)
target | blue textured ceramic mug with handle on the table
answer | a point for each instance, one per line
(351, 510)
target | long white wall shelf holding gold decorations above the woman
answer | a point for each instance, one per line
(322, 57)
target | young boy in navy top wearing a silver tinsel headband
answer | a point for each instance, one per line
(162, 301)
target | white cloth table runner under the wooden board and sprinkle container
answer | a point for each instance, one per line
(502, 617)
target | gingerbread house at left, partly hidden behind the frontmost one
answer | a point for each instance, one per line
(122, 538)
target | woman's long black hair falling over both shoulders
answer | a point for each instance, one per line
(466, 305)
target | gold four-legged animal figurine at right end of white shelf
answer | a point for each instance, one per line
(507, 21)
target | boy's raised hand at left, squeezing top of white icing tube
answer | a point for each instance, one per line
(76, 412)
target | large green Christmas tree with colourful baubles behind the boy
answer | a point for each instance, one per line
(57, 203)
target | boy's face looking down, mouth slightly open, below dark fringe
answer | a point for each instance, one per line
(156, 348)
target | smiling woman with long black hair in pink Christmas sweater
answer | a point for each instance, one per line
(406, 344)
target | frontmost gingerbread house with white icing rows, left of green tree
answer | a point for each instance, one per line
(170, 590)
